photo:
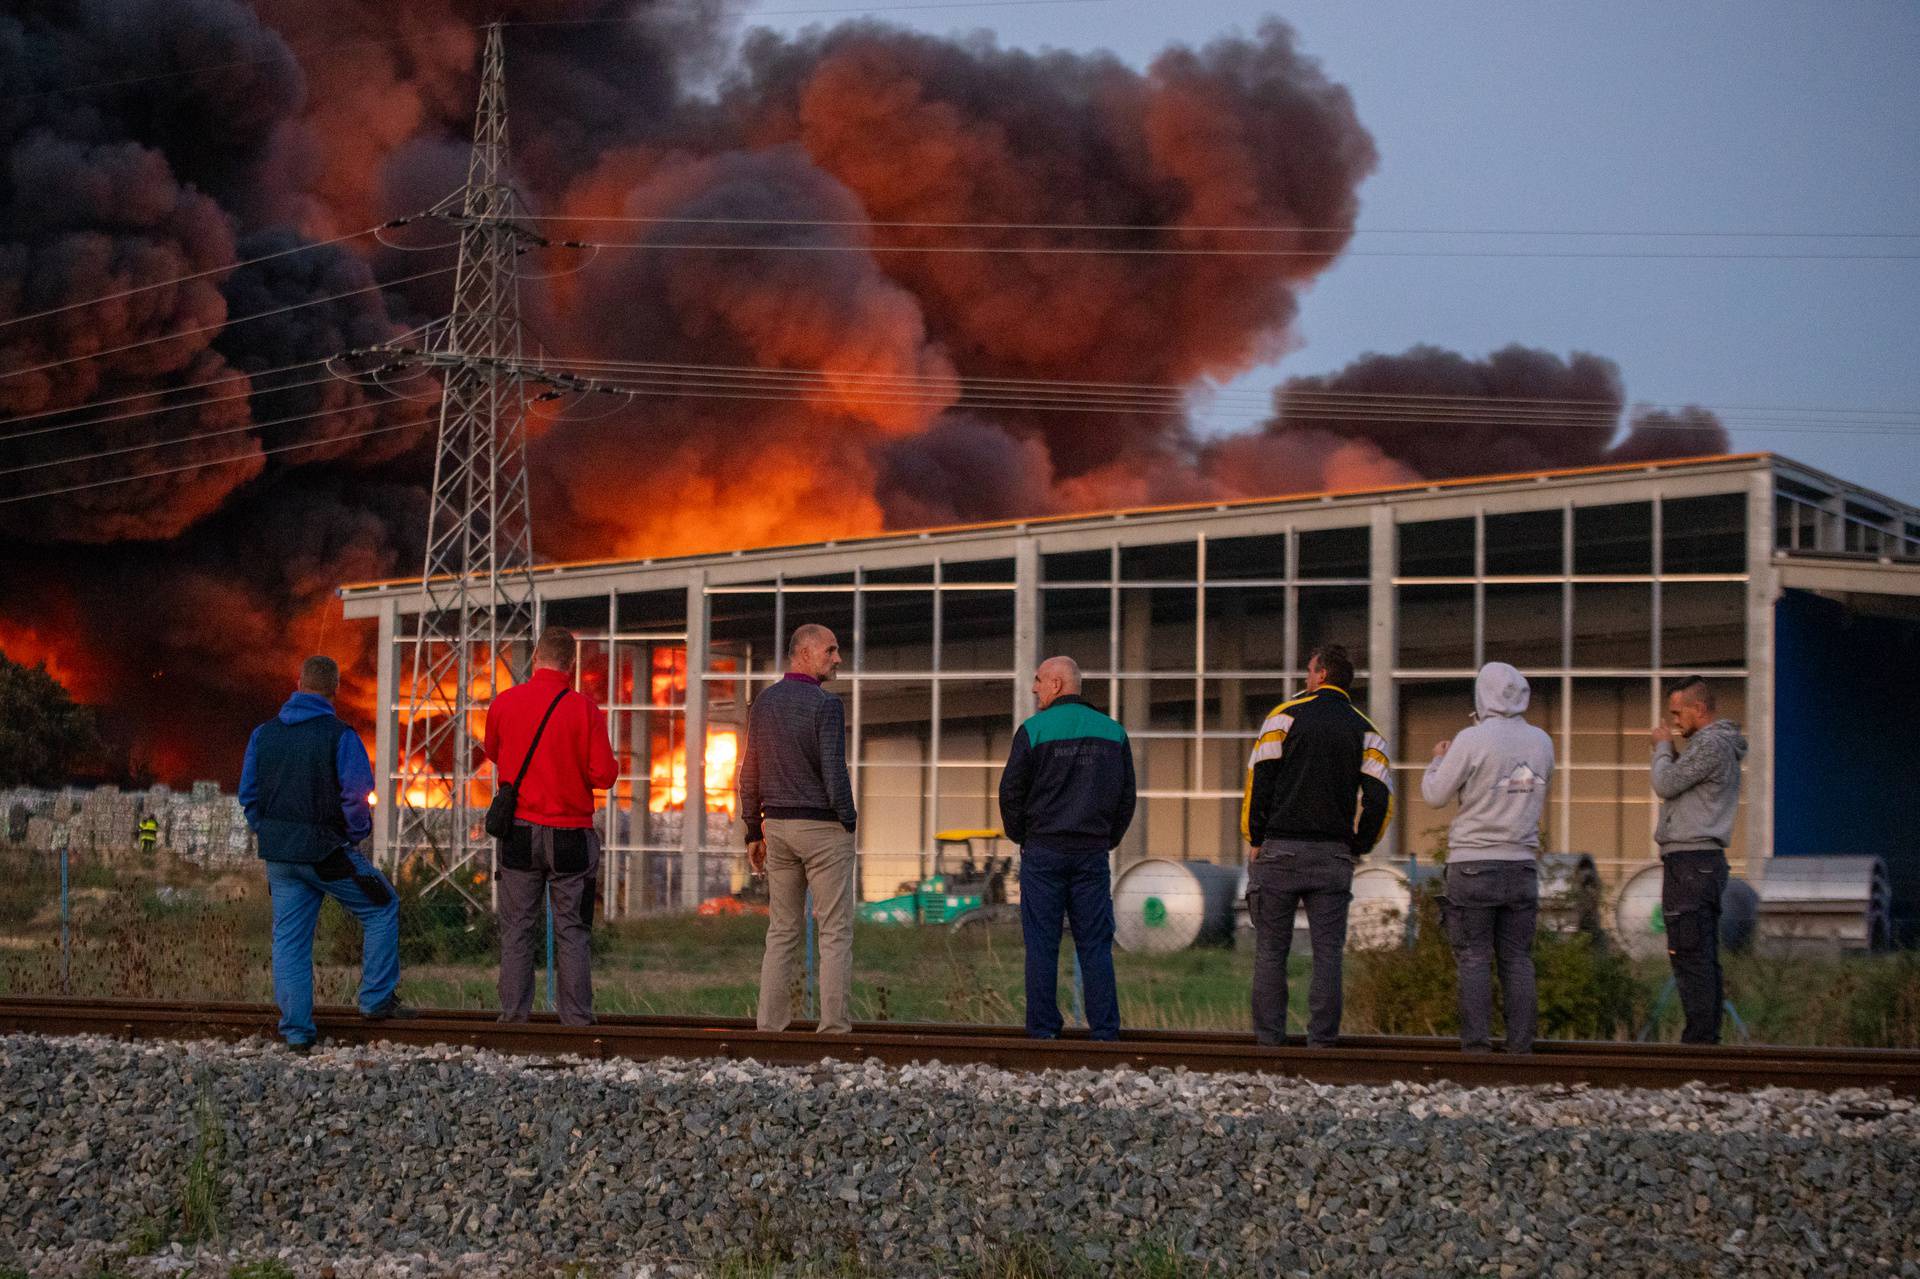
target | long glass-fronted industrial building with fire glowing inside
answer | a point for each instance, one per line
(1794, 592)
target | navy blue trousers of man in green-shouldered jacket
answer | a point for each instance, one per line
(1074, 888)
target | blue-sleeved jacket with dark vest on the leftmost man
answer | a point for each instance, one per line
(306, 783)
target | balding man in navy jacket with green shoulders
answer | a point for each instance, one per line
(1067, 800)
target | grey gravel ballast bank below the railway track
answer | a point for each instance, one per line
(360, 1163)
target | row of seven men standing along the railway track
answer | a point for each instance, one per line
(1318, 798)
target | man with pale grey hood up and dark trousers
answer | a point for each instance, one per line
(1499, 771)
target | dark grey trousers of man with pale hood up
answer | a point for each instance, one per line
(1493, 909)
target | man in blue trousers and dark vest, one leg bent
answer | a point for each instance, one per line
(308, 794)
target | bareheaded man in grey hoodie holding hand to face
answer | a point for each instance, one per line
(1700, 798)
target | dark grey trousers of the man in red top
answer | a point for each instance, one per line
(531, 865)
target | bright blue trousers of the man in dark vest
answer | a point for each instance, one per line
(297, 909)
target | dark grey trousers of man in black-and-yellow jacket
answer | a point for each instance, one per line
(1287, 873)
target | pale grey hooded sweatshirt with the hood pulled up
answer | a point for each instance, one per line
(1499, 771)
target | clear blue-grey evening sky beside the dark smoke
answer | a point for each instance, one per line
(1716, 116)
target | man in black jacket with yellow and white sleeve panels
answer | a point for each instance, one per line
(1318, 765)
